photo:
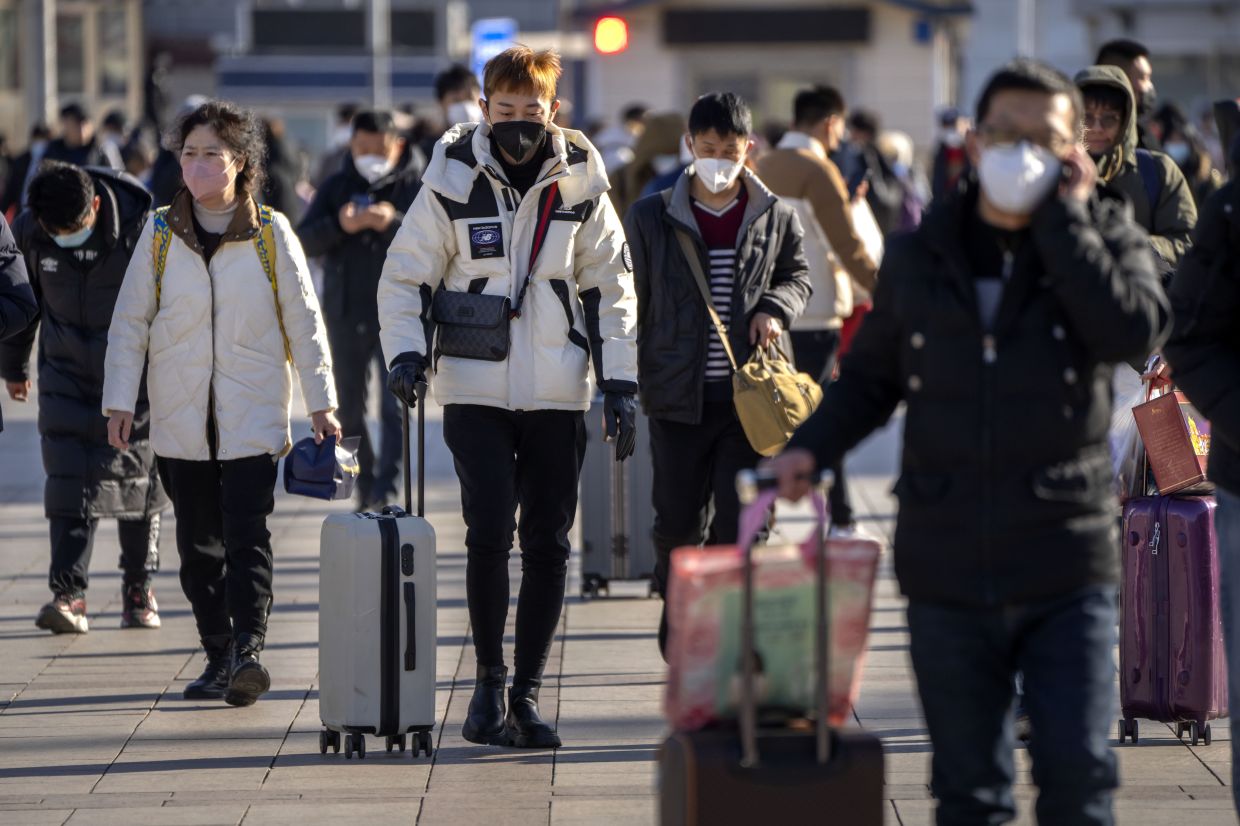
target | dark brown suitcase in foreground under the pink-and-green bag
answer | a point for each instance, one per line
(772, 776)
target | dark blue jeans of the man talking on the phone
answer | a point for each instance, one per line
(965, 660)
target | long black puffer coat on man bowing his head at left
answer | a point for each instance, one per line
(86, 478)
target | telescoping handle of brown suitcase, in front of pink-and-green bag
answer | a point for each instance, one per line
(757, 491)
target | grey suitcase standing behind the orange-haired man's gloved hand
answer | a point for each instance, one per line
(618, 514)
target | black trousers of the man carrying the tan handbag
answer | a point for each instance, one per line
(696, 466)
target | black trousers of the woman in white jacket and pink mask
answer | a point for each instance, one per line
(221, 534)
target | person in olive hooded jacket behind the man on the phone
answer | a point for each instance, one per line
(1162, 202)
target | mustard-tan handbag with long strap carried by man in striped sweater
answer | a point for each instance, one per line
(771, 396)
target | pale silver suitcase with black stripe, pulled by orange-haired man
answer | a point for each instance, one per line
(378, 623)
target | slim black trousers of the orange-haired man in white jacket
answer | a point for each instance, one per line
(505, 460)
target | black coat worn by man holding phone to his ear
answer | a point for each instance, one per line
(1006, 477)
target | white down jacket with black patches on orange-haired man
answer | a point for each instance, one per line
(469, 225)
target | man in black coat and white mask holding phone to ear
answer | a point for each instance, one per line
(999, 324)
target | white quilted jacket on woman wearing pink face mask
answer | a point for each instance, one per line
(214, 340)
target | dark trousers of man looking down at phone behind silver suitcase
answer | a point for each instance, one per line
(354, 352)
